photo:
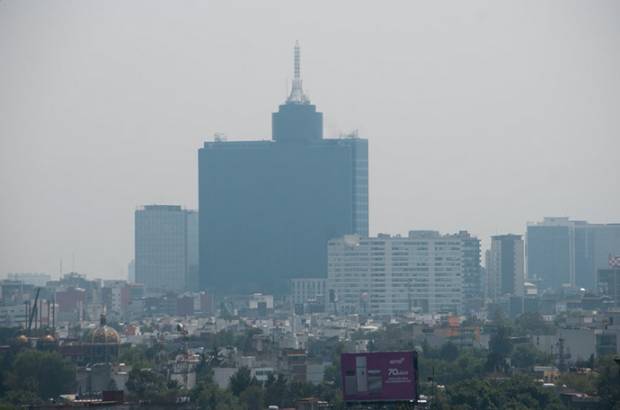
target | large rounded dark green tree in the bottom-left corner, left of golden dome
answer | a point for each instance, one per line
(45, 374)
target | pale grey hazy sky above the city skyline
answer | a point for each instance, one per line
(480, 115)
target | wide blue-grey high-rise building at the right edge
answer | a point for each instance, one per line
(562, 252)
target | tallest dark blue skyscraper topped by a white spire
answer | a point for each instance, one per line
(268, 208)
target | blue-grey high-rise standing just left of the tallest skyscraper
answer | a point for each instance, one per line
(165, 247)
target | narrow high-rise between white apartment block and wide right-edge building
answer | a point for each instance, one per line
(505, 270)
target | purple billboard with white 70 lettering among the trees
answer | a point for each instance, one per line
(380, 376)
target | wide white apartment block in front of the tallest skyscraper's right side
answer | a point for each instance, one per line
(389, 275)
